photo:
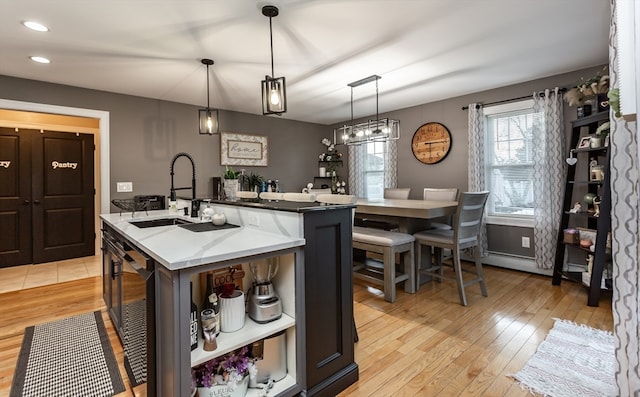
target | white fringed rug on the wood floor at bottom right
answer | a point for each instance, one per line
(574, 360)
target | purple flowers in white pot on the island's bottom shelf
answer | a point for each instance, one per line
(224, 376)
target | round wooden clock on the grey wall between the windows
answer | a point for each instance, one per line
(431, 143)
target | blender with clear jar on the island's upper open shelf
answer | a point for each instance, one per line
(264, 303)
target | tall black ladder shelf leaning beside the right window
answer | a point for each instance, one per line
(576, 186)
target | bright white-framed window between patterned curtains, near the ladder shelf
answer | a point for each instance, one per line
(509, 160)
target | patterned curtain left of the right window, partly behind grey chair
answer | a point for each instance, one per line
(477, 167)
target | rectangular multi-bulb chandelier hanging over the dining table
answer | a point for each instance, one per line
(378, 130)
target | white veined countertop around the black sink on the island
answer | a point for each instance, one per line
(177, 248)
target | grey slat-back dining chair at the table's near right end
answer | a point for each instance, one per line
(464, 234)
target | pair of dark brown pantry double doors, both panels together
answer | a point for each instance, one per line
(46, 196)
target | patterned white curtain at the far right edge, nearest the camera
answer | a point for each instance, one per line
(625, 232)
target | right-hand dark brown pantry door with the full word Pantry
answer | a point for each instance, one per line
(63, 196)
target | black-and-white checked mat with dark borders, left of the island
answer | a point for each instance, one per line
(69, 357)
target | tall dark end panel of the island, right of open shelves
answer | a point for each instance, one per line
(329, 331)
